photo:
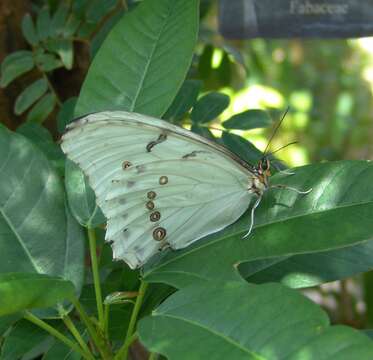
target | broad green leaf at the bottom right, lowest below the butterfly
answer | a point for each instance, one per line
(243, 321)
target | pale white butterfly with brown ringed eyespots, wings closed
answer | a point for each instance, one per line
(160, 185)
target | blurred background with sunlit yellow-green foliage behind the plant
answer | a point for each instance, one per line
(326, 83)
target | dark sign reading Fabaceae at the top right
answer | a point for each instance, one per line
(241, 19)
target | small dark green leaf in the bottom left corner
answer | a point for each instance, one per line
(22, 338)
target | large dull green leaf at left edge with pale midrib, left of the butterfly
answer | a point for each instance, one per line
(37, 232)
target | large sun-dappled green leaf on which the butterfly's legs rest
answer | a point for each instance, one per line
(336, 214)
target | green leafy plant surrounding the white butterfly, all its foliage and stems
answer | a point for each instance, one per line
(188, 304)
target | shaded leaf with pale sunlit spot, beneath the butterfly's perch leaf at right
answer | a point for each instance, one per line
(311, 269)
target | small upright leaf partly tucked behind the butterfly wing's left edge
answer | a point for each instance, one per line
(82, 199)
